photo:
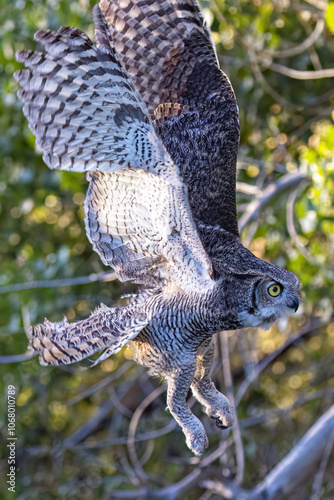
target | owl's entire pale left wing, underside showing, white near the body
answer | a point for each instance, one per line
(87, 116)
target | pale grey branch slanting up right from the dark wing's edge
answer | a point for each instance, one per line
(267, 194)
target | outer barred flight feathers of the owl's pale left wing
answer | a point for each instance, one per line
(82, 108)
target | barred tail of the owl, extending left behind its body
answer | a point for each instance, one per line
(66, 343)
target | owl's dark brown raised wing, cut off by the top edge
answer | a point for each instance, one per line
(167, 49)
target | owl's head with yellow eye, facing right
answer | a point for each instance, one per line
(256, 291)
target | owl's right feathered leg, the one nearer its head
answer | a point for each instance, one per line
(216, 404)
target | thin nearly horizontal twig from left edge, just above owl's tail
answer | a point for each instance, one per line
(81, 280)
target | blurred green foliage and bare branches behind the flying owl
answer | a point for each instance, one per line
(93, 433)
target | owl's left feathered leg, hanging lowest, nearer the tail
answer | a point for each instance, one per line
(178, 386)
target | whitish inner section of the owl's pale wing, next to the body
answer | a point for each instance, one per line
(133, 218)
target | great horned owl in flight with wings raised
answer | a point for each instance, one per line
(151, 118)
